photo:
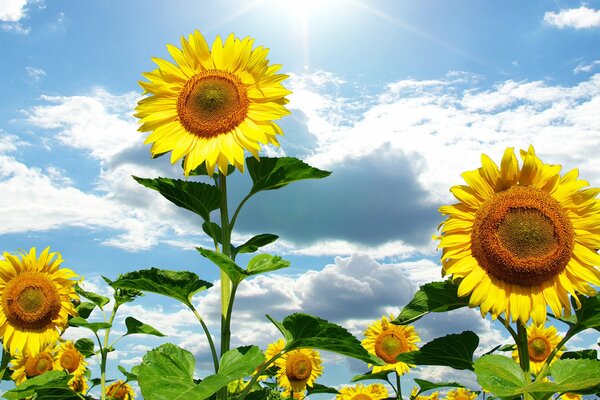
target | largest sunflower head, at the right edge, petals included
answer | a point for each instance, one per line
(522, 238)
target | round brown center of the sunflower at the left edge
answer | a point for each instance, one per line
(30, 300)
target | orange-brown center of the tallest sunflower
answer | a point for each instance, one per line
(212, 103)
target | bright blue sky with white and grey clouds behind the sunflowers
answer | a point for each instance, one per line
(396, 98)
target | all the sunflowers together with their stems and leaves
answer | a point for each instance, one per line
(521, 240)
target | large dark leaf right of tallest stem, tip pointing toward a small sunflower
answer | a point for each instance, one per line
(305, 331)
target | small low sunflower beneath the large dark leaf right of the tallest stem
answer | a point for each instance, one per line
(298, 369)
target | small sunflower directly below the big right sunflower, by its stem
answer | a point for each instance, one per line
(540, 343)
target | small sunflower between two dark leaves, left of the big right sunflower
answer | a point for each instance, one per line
(386, 341)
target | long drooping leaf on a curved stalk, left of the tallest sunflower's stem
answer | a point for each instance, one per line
(180, 285)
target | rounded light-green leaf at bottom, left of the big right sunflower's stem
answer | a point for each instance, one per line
(499, 375)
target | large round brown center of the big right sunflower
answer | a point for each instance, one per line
(522, 236)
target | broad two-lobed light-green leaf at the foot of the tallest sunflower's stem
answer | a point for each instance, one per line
(167, 372)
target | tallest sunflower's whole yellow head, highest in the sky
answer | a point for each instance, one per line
(212, 104)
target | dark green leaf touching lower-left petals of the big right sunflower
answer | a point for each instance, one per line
(431, 297)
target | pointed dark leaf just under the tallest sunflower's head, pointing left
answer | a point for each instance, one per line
(198, 197)
